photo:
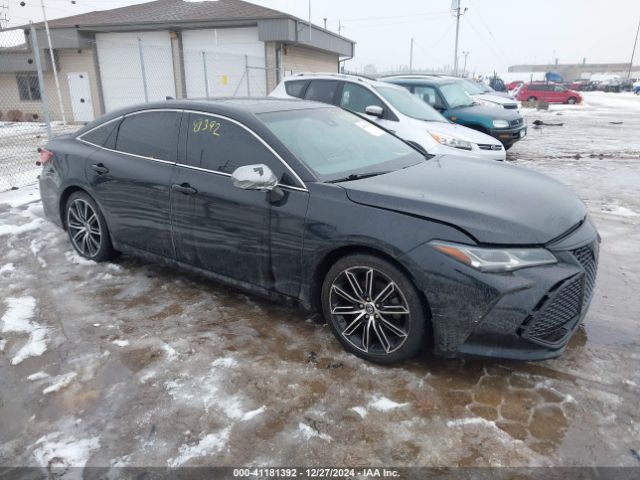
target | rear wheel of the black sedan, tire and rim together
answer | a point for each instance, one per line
(87, 228)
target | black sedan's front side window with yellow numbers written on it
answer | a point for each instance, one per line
(220, 145)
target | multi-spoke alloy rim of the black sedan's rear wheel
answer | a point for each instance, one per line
(84, 228)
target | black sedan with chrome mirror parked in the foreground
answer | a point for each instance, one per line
(312, 205)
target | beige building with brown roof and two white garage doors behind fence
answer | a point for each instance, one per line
(166, 48)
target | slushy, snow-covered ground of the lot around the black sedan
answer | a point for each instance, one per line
(134, 364)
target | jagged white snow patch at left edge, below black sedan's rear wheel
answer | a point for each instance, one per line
(17, 319)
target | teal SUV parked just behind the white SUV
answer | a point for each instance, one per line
(450, 98)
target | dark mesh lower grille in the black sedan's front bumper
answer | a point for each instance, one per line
(564, 306)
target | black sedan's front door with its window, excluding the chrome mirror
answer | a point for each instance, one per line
(233, 232)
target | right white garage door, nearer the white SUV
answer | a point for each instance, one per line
(221, 56)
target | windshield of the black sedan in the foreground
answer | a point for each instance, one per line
(336, 144)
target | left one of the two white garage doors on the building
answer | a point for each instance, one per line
(121, 69)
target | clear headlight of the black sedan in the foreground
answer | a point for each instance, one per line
(496, 259)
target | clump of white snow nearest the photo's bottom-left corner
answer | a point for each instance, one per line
(56, 451)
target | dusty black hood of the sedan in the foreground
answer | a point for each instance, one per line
(493, 202)
